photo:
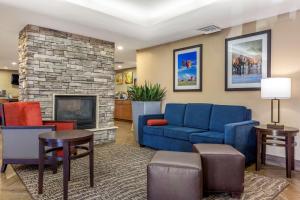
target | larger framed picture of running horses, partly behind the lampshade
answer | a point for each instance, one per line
(247, 61)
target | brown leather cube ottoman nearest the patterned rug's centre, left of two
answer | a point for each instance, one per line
(174, 176)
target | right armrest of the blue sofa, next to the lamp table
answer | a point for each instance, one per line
(241, 135)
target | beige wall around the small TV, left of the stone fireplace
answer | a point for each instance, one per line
(5, 82)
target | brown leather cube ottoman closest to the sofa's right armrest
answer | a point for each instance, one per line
(223, 168)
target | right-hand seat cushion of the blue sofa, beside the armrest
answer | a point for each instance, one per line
(207, 137)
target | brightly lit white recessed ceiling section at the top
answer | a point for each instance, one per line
(143, 12)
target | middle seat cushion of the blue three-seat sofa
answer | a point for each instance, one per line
(181, 133)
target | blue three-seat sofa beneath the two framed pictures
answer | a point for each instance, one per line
(194, 123)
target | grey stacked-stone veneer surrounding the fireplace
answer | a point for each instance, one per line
(55, 62)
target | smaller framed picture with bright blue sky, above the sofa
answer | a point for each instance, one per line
(187, 72)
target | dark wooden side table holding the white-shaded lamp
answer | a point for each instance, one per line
(276, 137)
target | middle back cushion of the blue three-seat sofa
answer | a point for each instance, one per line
(197, 115)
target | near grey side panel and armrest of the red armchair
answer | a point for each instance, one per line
(22, 142)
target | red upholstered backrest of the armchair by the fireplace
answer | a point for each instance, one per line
(22, 114)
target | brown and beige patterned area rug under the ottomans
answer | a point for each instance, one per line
(120, 174)
